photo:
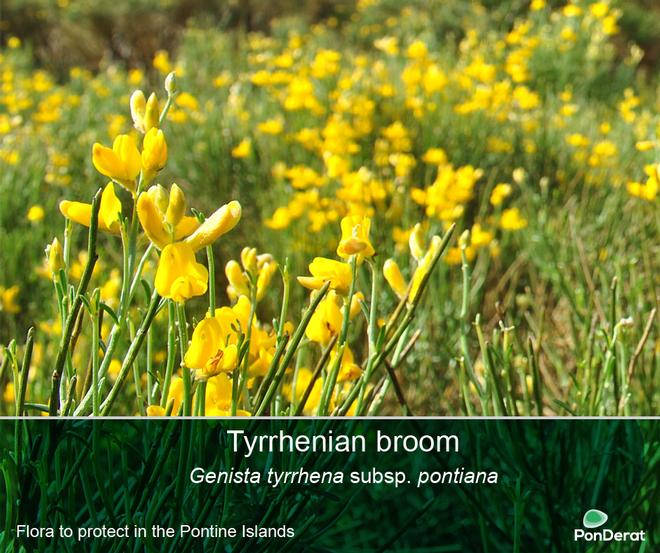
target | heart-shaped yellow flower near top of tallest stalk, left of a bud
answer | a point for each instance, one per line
(121, 163)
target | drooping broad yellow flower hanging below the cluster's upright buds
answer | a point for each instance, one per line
(179, 277)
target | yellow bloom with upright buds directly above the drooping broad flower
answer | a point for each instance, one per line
(163, 218)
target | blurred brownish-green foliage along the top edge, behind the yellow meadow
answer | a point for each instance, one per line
(66, 33)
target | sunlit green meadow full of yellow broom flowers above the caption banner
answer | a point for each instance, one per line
(425, 208)
